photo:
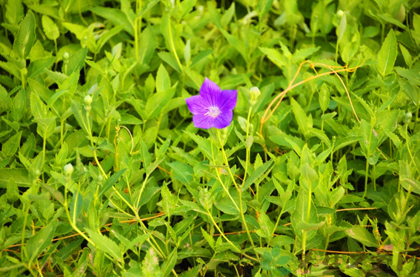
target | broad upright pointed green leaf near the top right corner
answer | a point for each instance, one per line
(387, 54)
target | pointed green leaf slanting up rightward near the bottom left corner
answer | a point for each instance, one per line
(41, 240)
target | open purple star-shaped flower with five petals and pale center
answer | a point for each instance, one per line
(213, 107)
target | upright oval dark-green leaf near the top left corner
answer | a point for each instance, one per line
(26, 36)
